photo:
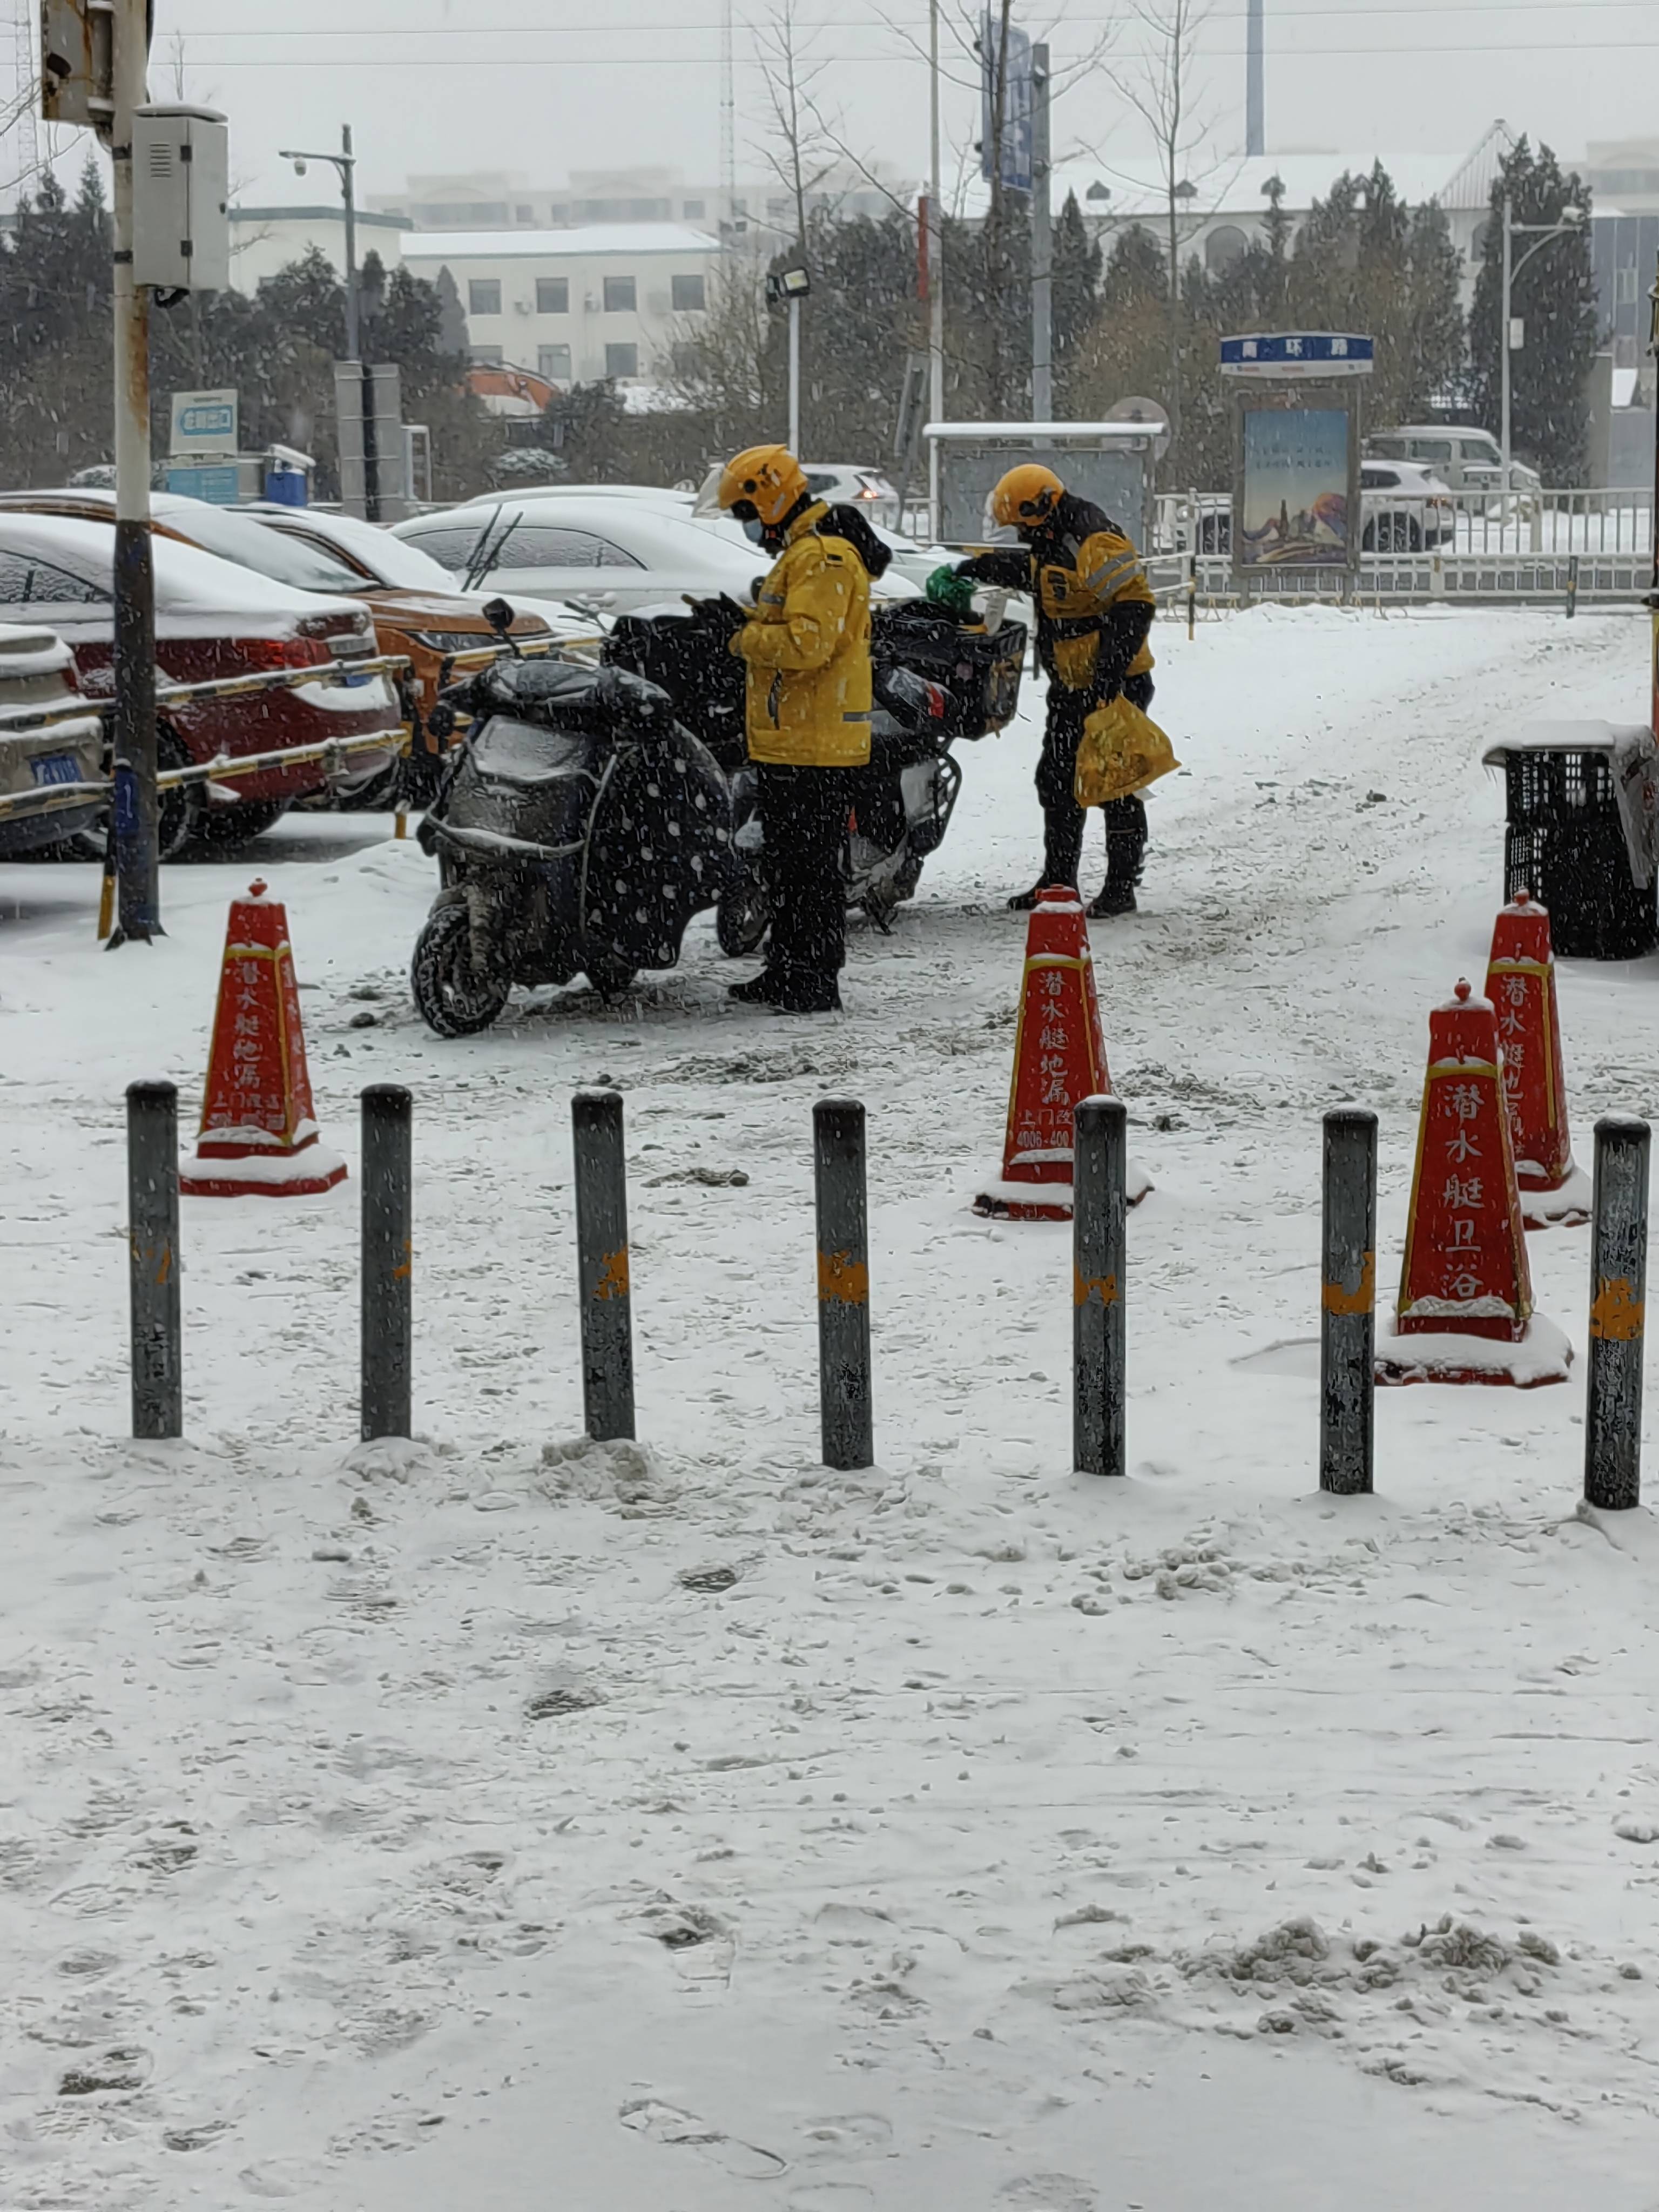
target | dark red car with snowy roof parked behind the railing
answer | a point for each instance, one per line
(211, 620)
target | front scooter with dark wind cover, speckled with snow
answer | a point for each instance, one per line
(578, 831)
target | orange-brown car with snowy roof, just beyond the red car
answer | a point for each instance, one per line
(415, 605)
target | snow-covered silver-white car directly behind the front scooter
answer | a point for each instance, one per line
(601, 552)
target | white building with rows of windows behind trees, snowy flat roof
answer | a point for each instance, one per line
(607, 300)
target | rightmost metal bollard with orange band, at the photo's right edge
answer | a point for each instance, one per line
(1618, 1315)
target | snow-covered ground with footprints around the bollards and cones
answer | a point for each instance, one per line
(508, 1824)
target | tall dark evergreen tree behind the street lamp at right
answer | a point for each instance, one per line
(1554, 295)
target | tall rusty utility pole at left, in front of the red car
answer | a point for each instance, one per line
(136, 802)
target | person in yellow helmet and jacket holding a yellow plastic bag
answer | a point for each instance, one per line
(1094, 616)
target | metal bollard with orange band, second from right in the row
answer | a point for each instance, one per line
(1348, 1306)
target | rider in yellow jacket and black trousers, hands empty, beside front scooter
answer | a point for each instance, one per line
(808, 720)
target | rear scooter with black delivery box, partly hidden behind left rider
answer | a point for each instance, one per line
(937, 678)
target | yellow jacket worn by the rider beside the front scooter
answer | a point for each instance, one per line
(808, 656)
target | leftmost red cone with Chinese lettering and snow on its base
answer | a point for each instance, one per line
(258, 1129)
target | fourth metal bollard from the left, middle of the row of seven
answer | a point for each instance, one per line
(844, 1284)
